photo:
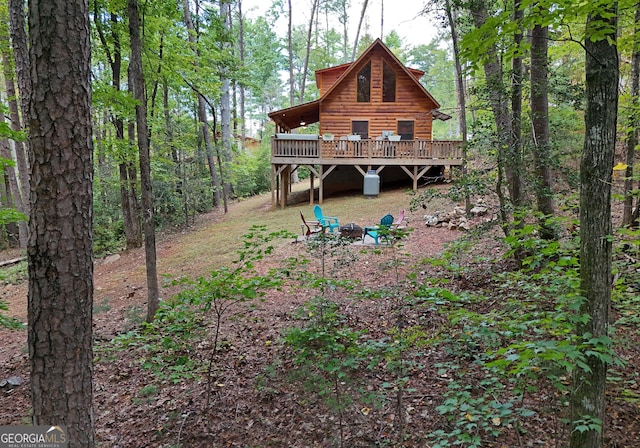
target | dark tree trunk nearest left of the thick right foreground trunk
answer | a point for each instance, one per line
(540, 122)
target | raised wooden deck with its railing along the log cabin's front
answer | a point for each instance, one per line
(366, 152)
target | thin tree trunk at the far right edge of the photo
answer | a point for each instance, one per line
(632, 133)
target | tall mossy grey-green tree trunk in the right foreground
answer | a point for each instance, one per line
(588, 397)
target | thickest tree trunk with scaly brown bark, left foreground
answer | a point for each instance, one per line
(60, 256)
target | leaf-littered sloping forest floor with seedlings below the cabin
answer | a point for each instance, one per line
(367, 373)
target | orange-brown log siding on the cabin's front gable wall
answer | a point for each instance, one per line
(340, 108)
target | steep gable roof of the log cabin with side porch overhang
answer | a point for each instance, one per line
(293, 117)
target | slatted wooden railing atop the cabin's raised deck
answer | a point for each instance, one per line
(366, 149)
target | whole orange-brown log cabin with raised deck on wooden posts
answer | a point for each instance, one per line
(373, 115)
